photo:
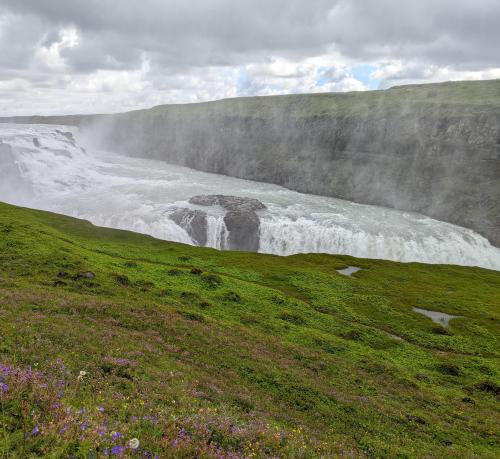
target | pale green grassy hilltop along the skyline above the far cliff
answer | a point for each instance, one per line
(451, 98)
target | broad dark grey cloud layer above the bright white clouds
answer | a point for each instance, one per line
(115, 34)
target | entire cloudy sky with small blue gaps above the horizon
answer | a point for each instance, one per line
(105, 56)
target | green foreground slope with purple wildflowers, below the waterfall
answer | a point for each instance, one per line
(258, 355)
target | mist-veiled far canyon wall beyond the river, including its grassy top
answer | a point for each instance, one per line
(433, 149)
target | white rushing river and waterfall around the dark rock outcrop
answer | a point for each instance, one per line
(44, 167)
